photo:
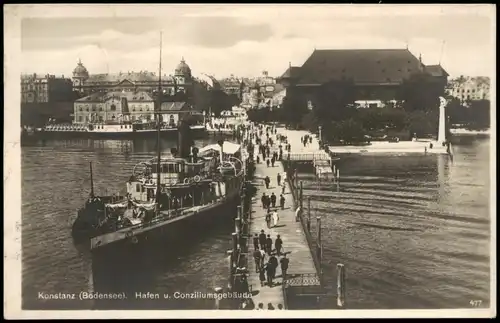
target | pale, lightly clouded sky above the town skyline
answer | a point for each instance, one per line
(245, 40)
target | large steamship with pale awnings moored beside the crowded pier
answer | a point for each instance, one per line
(193, 184)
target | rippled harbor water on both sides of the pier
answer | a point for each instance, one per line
(413, 231)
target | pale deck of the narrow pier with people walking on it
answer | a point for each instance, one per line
(302, 273)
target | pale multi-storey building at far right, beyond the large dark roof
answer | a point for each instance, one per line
(469, 88)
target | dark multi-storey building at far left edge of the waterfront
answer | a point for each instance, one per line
(45, 88)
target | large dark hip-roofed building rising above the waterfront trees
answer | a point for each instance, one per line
(376, 74)
